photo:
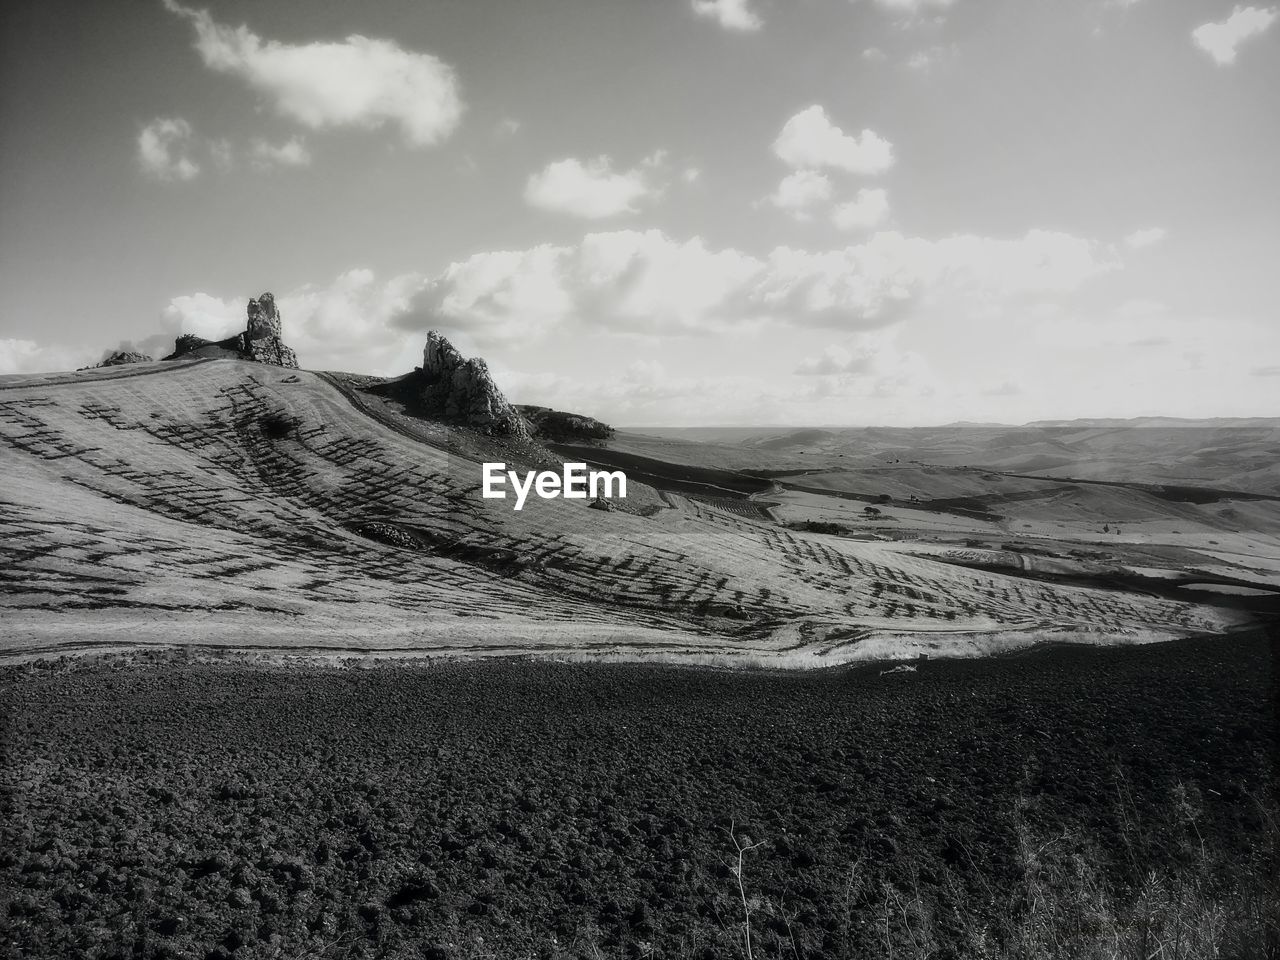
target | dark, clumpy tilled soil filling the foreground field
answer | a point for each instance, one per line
(546, 810)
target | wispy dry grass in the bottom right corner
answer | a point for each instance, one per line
(1173, 897)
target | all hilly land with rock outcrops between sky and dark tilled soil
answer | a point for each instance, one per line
(310, 514)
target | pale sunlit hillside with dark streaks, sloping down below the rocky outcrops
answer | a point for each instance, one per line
(237, 505)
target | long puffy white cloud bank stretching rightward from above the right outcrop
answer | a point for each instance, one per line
(648, 284)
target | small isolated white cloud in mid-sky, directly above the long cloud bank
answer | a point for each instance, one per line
(591, 190)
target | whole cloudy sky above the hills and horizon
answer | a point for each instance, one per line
(666, 213)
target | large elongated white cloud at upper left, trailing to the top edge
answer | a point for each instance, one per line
(358, 83)
